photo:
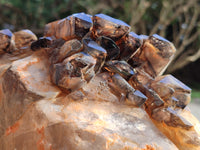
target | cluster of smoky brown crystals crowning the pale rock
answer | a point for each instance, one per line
(81, 47)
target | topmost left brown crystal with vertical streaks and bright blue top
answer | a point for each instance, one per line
(74, 26)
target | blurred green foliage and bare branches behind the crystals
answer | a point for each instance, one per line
(178, 21)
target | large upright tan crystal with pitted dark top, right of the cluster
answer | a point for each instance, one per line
(155, 55)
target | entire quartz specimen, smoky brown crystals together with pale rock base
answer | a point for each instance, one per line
(90, 83)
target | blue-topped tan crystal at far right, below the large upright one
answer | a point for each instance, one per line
(173, 91)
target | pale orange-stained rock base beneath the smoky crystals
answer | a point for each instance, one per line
(35, 115)
